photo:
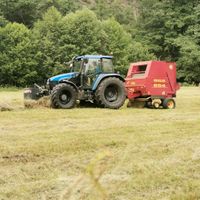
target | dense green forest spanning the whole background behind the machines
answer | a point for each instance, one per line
(38, 36)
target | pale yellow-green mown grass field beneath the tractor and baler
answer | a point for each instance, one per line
(91, 153)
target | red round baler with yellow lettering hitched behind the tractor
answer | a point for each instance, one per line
(152, 82)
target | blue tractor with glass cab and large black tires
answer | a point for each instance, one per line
(92, 78)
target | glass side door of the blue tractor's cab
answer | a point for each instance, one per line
(91, 69)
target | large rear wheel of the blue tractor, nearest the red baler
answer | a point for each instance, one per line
(110, 93)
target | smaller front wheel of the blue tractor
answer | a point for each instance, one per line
(63, 96)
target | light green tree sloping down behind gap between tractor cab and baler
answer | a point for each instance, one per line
(124, 49)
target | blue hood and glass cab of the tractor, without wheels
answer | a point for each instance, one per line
(84, 71)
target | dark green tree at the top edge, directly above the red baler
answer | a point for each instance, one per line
(160, 28)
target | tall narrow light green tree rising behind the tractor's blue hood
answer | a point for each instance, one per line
(48, 32)
